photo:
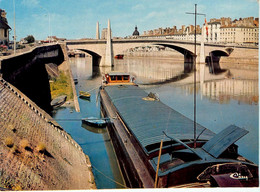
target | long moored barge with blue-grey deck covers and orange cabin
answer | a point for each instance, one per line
(155, 144)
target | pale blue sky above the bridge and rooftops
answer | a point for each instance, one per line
(76, 19)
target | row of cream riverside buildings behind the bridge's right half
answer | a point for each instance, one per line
(244, 31)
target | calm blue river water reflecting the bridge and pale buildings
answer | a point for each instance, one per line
(220, 103)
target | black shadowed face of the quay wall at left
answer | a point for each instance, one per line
(27, 72)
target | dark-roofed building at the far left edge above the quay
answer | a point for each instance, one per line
(4, 28)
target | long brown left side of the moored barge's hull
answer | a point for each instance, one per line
(133, 169)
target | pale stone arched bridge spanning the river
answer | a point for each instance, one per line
(97, 48)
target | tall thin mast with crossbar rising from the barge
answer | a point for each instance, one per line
(194, 68)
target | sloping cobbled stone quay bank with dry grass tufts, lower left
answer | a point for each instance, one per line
(35, 152)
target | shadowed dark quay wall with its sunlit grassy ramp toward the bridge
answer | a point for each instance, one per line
(30, 72)
